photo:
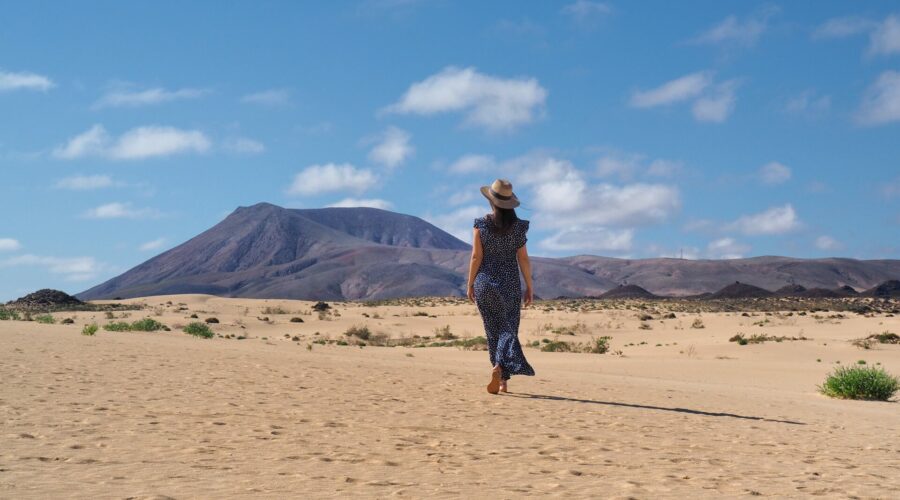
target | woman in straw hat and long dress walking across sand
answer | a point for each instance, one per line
(498, 254)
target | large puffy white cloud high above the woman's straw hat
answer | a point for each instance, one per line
(487, 101)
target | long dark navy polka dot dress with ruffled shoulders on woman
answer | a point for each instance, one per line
(498, 294)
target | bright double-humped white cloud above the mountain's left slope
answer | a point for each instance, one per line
(135, 144)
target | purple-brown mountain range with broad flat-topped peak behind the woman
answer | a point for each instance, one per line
(266, 251)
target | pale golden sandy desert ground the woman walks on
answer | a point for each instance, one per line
(159, 415)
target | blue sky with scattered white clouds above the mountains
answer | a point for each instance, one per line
(633, 129)
